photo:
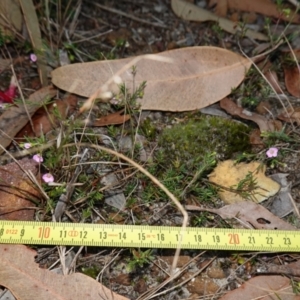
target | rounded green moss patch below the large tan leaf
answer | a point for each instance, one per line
(188, 142)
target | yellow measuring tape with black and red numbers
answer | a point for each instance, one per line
(108, 235)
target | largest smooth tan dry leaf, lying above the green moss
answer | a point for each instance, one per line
(197, 77)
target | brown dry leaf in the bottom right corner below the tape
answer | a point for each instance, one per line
(264, 288)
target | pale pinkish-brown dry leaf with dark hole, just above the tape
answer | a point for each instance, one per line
(248, 213)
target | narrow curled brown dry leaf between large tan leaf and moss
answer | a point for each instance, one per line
(263, 123)
